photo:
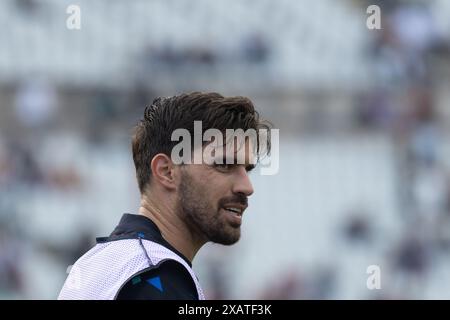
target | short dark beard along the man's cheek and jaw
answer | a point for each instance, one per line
(201, 217)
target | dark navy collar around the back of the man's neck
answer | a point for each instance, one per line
(134, 226)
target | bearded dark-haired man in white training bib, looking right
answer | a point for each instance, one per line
(183, 204)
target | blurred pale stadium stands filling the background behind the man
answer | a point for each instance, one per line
(363, 119)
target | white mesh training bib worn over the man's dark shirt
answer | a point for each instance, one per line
(101, 272)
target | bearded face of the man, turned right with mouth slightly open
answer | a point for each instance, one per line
(212, 198)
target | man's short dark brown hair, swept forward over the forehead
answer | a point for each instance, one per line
(152, 135)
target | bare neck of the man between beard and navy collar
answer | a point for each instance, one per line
(172, 228)
